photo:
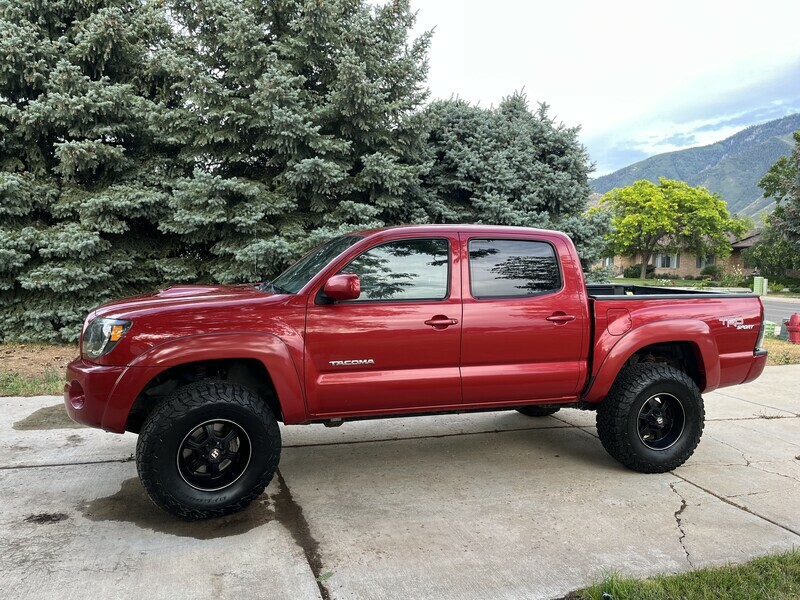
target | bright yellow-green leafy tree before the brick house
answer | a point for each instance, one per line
(647, 218)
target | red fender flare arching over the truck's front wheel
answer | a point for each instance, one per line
(268, 349)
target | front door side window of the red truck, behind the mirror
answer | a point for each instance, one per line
(403, 270)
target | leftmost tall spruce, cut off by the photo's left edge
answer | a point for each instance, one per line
(84, 96)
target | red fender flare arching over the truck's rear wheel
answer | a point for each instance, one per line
(692, 331)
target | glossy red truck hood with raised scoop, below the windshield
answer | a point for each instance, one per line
(182, 297)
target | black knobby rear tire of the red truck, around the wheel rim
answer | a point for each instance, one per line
(618, 417)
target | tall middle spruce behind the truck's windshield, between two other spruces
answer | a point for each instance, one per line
(301, 122)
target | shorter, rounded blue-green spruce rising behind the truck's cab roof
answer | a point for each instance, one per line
(510, 166)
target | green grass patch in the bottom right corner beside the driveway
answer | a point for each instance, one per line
(776, 577)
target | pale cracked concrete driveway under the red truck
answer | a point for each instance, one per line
(493, 505)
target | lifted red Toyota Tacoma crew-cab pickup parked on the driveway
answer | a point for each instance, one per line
(402, 321)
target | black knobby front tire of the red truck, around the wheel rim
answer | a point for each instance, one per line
(169, 425)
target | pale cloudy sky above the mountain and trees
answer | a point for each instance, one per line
(640, 78)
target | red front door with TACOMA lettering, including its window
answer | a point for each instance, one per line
(396, 347)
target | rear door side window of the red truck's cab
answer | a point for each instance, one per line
(512, 268)
